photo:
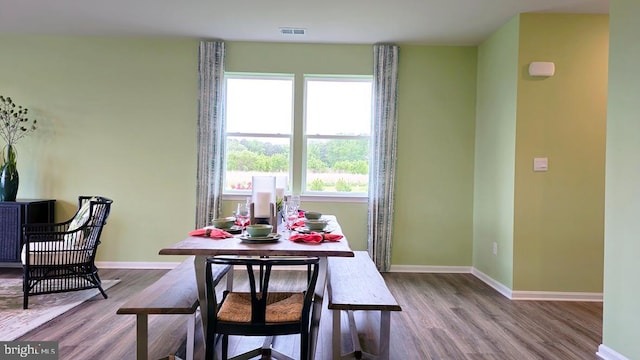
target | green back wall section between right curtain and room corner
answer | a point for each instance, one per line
(434, 179)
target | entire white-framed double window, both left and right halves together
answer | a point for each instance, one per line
(331, 135)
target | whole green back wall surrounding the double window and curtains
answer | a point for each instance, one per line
(118, 118)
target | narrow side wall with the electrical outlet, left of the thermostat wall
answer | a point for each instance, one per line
(495, 153)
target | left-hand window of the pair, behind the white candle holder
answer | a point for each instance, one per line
(259, 116)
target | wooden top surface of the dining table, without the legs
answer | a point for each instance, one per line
(234, 246)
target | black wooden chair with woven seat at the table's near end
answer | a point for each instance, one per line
(260, 312)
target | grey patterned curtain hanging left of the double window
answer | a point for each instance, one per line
(211, 124)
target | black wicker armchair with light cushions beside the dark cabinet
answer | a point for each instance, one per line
(59, 257)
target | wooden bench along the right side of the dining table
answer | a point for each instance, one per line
(355, 284)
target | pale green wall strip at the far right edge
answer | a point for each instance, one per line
(621, 329)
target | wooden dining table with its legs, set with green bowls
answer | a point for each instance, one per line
(203, 247)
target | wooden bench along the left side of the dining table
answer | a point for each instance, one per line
(176, 292)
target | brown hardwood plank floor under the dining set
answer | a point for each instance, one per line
(445, 316)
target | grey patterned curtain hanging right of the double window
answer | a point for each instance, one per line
(382, 171)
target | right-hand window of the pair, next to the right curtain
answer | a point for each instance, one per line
(337, 134)
